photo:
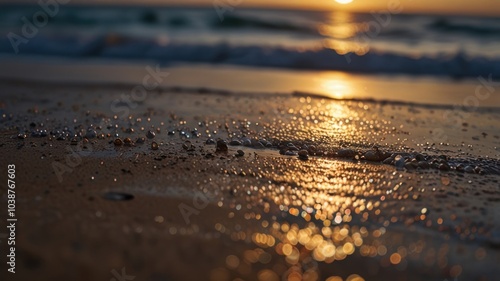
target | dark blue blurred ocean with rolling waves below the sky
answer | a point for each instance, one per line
(431, 45)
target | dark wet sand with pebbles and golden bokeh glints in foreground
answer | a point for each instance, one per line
(88, 205)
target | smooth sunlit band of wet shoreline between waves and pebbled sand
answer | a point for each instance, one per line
(237, 79)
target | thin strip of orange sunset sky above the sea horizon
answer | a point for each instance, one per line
(467, 7)
